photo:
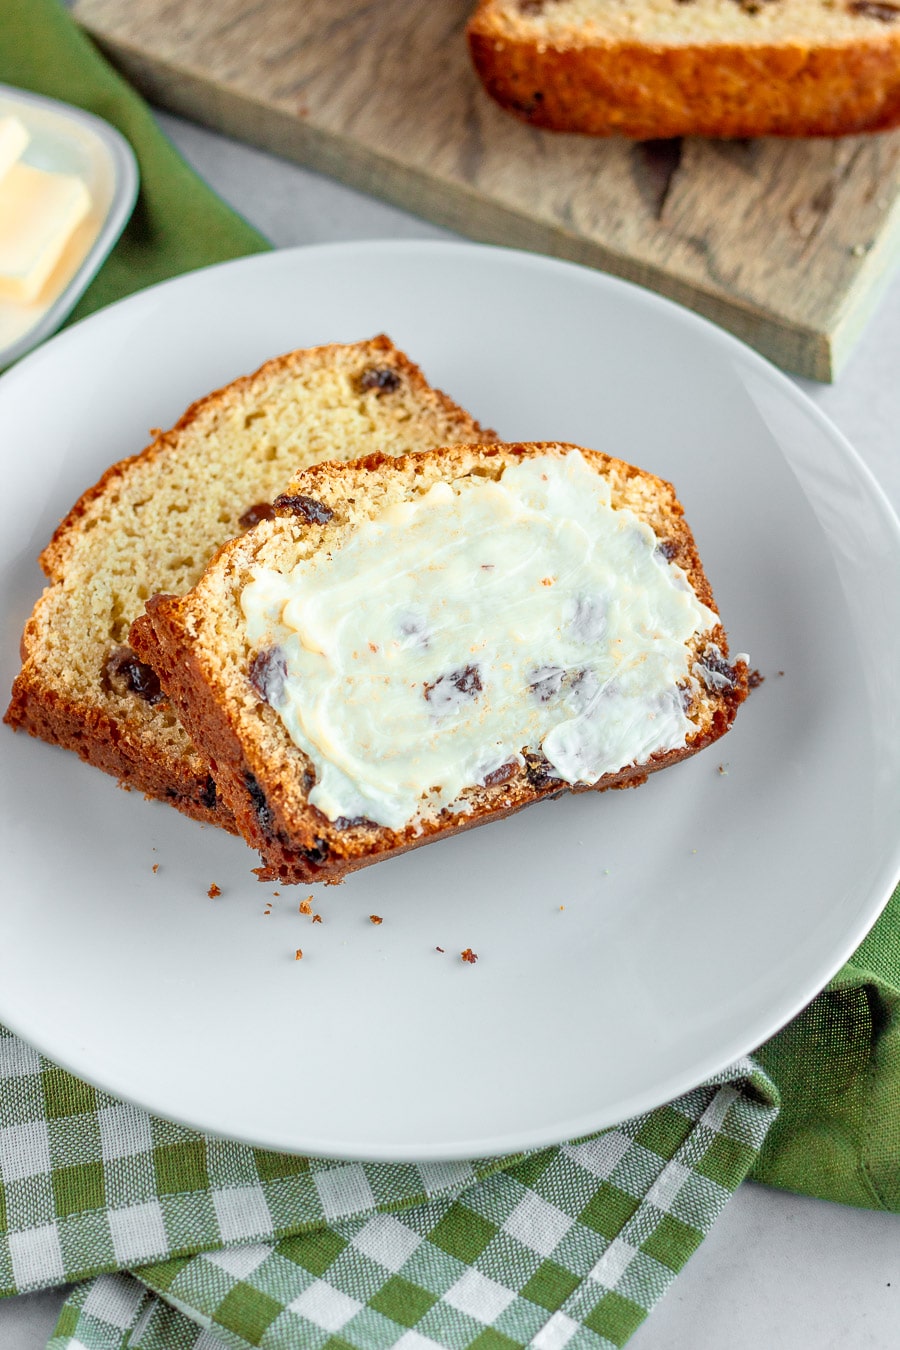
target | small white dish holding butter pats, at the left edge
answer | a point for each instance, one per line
(67, 140)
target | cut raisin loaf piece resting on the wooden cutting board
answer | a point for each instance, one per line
(713, 68)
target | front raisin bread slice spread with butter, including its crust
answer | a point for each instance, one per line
(418, 646)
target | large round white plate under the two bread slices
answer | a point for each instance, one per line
(629, 944)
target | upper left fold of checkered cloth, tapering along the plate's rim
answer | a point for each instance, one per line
(88, 1183)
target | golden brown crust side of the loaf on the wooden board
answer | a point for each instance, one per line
(650, 91)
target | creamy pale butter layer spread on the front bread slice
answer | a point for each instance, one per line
(484, 619)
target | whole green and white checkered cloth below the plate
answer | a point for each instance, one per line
(237, 1247)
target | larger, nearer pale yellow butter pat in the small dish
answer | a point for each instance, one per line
(40, 213)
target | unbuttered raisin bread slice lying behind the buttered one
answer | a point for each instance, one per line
(153, 522)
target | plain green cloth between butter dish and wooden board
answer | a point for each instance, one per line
(179, 223)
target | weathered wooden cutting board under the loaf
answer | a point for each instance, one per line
(786, 244)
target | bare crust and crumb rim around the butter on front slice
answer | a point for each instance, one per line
(262, 776)
